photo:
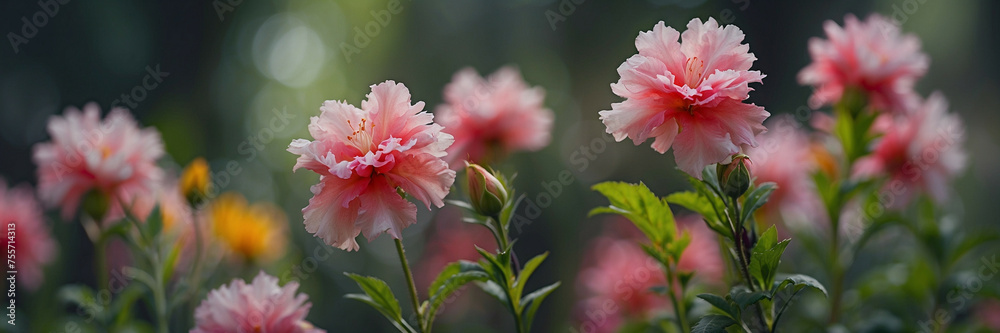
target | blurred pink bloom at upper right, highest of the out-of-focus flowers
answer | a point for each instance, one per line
(871, 56)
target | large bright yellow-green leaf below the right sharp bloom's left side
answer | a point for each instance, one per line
(636, 202)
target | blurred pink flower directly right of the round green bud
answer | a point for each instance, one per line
(786, 157)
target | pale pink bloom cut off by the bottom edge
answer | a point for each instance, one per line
(261, 306)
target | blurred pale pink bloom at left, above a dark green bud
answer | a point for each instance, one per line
(113, 156)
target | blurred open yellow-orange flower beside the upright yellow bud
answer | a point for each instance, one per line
(255, 232)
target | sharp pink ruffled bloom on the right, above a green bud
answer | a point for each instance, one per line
(688, 94)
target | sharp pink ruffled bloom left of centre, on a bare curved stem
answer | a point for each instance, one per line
(363, 156)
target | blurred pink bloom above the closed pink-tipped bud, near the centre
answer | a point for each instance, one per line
(492, 117)
